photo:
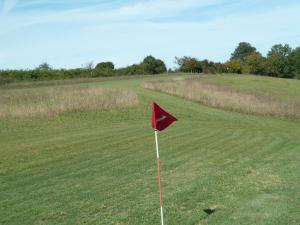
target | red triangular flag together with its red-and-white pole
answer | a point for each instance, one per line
(160, 121)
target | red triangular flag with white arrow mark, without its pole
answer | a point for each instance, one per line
(160, 118)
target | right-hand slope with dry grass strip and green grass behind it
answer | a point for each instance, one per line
(248, 94)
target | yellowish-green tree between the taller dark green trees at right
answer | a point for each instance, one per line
(256, 63)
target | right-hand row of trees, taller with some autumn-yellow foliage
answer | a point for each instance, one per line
(281, 61)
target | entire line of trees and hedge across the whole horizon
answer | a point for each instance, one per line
(280, 61)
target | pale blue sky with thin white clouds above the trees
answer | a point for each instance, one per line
(71, 33)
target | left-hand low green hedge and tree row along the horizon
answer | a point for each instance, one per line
(150, 65)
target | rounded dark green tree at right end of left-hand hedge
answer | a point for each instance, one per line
(153, 66)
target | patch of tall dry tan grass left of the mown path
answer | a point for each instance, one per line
(52, 101)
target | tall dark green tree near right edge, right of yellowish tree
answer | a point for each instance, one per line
(278, 61)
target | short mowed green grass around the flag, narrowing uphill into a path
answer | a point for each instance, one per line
(100, 167)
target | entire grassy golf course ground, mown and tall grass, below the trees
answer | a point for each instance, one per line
(89, 158)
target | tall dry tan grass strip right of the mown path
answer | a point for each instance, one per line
(227, 98)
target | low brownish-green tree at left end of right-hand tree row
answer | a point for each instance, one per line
(188, 64)
